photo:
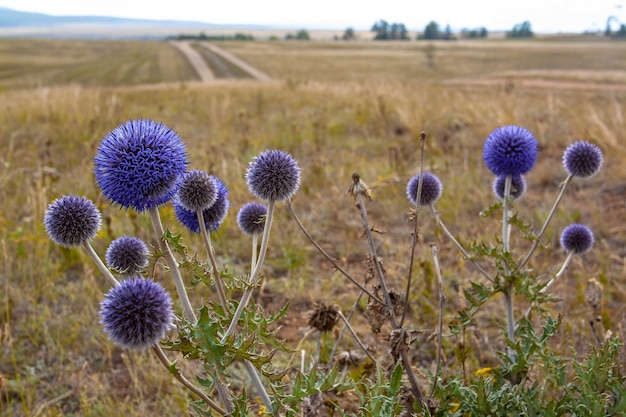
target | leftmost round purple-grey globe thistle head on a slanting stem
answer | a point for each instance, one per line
(72, 220)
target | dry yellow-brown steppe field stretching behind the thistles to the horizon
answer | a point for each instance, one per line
(338, 108)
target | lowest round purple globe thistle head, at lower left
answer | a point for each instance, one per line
(136, 313)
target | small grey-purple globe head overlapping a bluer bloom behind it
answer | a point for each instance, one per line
(197, 190)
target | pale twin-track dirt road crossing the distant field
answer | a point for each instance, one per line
(202, 69)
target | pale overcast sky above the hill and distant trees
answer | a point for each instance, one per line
(544, 15)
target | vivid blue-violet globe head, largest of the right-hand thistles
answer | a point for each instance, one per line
(510, 150)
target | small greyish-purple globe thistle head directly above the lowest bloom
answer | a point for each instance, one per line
(127, 255)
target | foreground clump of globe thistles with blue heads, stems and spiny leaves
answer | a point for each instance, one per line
(142, 165)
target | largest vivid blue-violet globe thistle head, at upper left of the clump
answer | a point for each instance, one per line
(138, 164)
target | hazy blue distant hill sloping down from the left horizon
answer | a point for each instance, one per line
(18, 23)
